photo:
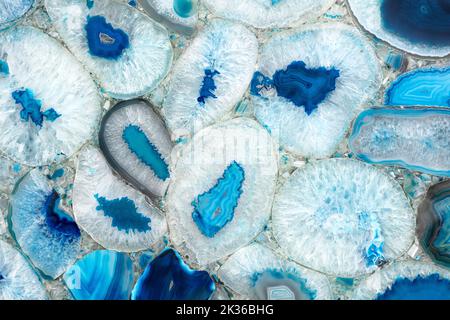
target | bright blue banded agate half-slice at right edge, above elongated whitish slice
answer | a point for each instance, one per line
(421, 87)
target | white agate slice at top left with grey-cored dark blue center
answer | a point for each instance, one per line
(128, 52)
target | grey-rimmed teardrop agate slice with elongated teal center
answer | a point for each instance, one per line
(137, 144)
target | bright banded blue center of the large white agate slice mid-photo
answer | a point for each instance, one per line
(215, 208)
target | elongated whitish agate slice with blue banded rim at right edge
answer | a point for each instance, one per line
(414, 138)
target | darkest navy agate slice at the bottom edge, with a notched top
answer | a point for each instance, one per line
(167, 277)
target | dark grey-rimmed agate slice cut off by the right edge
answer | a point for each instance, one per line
(433, 223)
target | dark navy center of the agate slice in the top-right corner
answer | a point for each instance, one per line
(421, 21)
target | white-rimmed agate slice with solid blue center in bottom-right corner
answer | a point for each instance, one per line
(406, 281)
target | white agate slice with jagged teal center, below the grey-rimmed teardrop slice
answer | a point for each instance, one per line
(115, 215)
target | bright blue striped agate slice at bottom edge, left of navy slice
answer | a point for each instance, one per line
(101, 275)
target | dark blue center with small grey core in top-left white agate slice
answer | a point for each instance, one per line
(104, 40)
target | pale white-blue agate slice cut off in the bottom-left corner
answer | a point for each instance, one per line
(17, 279)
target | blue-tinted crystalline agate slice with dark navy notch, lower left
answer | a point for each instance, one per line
(45, 232)
